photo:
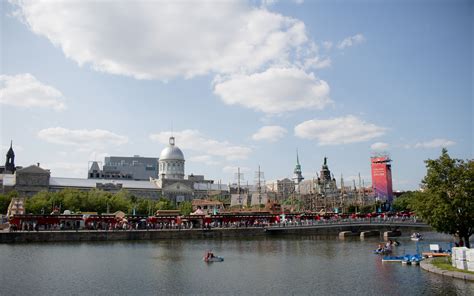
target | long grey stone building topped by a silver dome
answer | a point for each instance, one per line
(171, 183)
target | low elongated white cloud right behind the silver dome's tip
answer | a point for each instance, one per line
(194, 140)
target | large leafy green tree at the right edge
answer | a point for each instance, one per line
(447, 203)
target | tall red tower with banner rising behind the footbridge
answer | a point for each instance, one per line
(382, 178)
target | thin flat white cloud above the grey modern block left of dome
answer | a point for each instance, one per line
(82, 139)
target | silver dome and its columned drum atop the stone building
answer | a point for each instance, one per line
(171, 162)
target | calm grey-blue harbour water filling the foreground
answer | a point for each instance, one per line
(279, 265)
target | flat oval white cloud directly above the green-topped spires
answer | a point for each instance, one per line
(341, 130)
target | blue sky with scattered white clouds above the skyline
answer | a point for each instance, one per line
(238, 84)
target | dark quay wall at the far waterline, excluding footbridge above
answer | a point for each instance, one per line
(81, 235)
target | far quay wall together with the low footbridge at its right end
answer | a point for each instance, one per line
(307, 227)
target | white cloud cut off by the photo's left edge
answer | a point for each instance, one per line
(24, 90)
